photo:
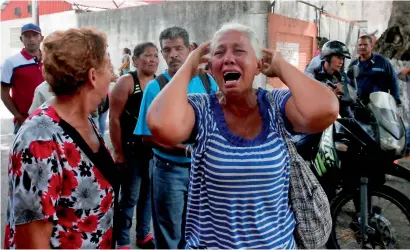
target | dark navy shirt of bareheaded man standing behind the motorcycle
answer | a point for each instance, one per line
(376, 74)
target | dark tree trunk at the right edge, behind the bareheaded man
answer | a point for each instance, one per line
(394, 44)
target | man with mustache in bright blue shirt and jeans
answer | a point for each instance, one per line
(171, 173)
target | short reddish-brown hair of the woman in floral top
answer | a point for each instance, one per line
(69, 55)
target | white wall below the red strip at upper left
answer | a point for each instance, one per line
(48, 24)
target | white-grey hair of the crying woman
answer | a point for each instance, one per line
(235, 26)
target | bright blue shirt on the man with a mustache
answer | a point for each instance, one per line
(195, 86)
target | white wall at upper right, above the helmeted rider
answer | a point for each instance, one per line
(377, 14)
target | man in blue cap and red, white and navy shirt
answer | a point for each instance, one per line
(22, 73)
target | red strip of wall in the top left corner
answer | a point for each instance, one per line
(44, 8)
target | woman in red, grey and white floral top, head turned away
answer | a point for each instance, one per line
(61, 175)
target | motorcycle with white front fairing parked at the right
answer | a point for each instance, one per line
(351, 162)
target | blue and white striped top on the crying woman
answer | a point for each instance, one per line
(238, 192)
